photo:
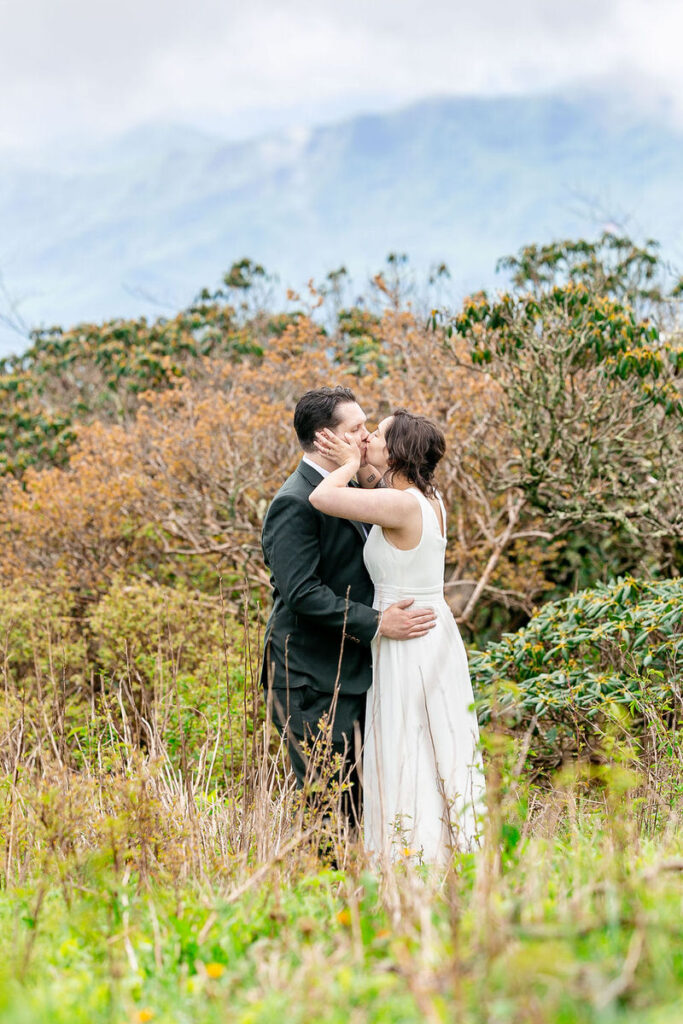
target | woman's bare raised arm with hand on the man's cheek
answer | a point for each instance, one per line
(386, 506)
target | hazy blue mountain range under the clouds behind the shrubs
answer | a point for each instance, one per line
(103, 231)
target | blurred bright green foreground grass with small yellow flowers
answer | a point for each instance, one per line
(582, 925)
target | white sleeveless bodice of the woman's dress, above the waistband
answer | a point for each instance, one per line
(417, 573)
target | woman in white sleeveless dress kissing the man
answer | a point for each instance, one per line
(423, 783)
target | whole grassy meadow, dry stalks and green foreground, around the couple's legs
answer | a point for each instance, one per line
(164, 879)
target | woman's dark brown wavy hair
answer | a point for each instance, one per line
(415, 447)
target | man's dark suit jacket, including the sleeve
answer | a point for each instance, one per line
(315, 560)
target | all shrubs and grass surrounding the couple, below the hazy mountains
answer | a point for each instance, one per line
(157, 864)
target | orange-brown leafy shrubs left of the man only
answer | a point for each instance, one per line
(190, 476)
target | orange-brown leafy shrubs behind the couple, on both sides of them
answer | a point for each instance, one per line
(180, 491)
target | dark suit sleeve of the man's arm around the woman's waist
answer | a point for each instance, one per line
(292, 550)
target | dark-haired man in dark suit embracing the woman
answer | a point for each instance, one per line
(317, 646)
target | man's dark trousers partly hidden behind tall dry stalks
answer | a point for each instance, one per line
(296, 713)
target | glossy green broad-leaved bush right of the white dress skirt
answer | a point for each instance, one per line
(582, 664)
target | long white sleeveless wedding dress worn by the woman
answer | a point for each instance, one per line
(423, 782)
